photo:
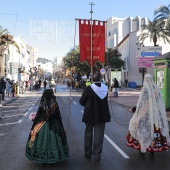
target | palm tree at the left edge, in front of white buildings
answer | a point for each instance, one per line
(5, 41)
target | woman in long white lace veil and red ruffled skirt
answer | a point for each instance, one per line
(148, 128)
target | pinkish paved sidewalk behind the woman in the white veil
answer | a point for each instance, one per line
(129, 98)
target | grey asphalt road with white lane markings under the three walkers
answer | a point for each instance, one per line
(116, 155)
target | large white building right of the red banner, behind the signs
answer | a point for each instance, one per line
(122, 34)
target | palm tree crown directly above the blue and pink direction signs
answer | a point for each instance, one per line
(154, 30)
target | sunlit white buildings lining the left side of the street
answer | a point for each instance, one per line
(20, 62)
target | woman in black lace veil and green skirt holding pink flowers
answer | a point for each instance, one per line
(47, 141)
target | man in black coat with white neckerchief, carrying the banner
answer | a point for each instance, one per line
(96, 114)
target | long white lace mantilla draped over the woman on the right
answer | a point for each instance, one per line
(150, 111)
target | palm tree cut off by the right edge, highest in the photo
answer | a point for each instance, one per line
(162, 13)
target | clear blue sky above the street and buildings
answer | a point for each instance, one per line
(15, 15)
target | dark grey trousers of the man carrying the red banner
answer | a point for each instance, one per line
(94, 143)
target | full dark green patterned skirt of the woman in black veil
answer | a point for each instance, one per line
(49, 146)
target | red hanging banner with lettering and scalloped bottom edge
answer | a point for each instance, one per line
(98, 41)
